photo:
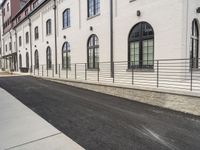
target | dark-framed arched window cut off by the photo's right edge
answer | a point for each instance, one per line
(195, 44)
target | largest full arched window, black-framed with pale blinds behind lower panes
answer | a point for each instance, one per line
(141, 46)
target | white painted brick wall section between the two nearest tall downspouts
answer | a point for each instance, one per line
(79, 32)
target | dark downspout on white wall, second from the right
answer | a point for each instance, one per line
(55, 29)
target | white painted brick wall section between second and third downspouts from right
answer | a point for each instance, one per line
(39, 19)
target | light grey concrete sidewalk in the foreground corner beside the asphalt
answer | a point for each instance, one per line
(22, 129)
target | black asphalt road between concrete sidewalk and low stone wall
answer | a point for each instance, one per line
(102, 122)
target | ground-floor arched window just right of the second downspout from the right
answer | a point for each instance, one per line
(66, 58)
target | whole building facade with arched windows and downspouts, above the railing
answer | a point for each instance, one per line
(65, 32)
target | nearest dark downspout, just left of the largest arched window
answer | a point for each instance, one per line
(111, 39)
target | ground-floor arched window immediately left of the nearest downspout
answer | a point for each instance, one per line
(93, 52)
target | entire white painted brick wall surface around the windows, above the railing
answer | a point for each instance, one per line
(171, 21)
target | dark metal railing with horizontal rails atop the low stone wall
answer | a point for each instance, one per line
(175, 74)
